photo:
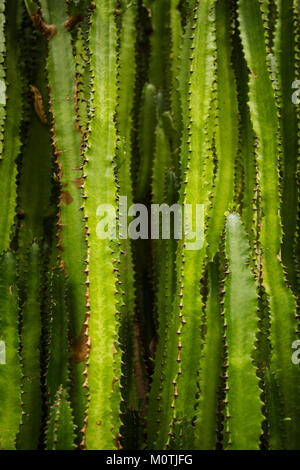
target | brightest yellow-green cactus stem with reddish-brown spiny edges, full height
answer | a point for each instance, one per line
(104, 366)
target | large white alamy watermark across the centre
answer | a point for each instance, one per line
(163, 222)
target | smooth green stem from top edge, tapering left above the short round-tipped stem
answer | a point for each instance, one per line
(227, 130)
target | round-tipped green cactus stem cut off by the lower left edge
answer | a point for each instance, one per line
(10, 370)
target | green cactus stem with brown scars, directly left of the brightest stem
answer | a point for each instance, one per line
(67, 148)
